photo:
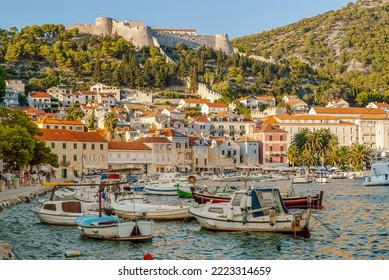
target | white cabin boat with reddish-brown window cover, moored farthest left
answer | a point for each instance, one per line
(63, 212)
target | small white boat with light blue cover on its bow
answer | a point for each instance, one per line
(114, 228)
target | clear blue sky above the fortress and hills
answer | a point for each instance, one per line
(236, 18)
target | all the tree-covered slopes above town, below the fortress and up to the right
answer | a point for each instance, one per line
(343, 53)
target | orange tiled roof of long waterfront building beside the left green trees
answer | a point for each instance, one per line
(67, 135)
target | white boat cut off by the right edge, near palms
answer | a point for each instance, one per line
(379, 174)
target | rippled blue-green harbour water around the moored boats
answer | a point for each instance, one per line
(357, 213)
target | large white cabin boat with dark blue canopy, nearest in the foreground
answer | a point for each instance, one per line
(257, 210)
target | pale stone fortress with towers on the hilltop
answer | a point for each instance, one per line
(140, 35)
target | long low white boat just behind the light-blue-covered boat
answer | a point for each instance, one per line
(140, 210)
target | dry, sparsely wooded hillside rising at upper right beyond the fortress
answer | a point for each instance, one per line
(350, 45)
